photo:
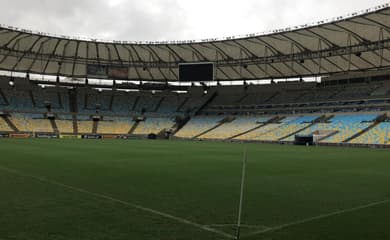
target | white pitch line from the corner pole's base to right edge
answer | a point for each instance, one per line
(319, 217)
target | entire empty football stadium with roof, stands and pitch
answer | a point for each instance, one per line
(278, 135)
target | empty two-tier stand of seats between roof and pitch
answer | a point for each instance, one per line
(335, 113)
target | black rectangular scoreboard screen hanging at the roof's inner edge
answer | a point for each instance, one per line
(196, 72)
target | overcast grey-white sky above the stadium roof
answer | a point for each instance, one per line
(144, 20)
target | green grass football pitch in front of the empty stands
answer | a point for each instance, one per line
(148, 190)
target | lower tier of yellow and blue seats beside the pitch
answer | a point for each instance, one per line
(338, 128)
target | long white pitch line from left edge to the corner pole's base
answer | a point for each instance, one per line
(129, 204)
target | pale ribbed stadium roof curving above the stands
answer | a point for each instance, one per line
(358, 42)
